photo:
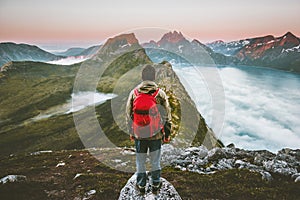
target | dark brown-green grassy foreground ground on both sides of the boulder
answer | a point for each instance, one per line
(46, 181)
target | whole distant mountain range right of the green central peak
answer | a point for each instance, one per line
(281, 53)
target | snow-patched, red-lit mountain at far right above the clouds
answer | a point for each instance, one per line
(281, 52)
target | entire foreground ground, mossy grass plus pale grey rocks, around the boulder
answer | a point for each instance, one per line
(195, 173)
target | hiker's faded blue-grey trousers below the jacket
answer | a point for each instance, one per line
(142, 147)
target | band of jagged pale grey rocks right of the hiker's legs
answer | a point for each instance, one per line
(200, 160)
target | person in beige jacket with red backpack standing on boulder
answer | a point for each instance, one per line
(149, 122)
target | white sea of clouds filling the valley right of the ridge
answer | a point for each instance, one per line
(261, 105)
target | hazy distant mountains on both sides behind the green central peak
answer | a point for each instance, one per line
(268, 51)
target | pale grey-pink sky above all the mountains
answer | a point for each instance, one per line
(90, 22)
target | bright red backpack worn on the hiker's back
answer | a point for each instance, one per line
(146, 117)
